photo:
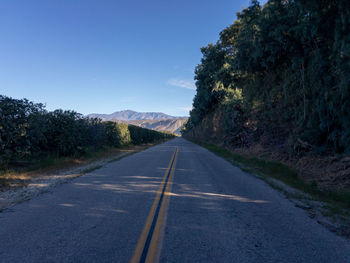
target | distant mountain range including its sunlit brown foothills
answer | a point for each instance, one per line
(150, 120)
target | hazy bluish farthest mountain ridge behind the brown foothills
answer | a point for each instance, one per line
(128, 115)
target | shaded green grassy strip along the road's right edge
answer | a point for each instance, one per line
(327, 208)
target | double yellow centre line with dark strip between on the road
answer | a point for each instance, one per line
(147, 246)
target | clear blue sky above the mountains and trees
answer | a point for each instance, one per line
(101, 56)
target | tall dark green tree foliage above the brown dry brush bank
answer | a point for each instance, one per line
(290, 61)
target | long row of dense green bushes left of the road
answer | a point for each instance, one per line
(29, 132)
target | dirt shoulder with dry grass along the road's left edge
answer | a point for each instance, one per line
(17, 187)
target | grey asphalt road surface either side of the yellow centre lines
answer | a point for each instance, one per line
(216, 213)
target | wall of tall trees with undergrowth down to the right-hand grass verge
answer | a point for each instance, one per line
(277, 80)
